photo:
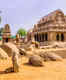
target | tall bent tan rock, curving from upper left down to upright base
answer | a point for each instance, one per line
(13, 52)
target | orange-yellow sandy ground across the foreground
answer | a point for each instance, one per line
(51, 71)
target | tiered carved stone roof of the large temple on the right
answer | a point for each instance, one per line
(55, 20)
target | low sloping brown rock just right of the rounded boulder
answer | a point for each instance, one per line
(47, 56)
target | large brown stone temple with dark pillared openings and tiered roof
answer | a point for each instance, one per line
(51, 27)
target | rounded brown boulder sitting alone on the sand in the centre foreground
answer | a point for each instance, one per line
(35, 60)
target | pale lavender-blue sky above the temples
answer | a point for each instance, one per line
(25, 13)
